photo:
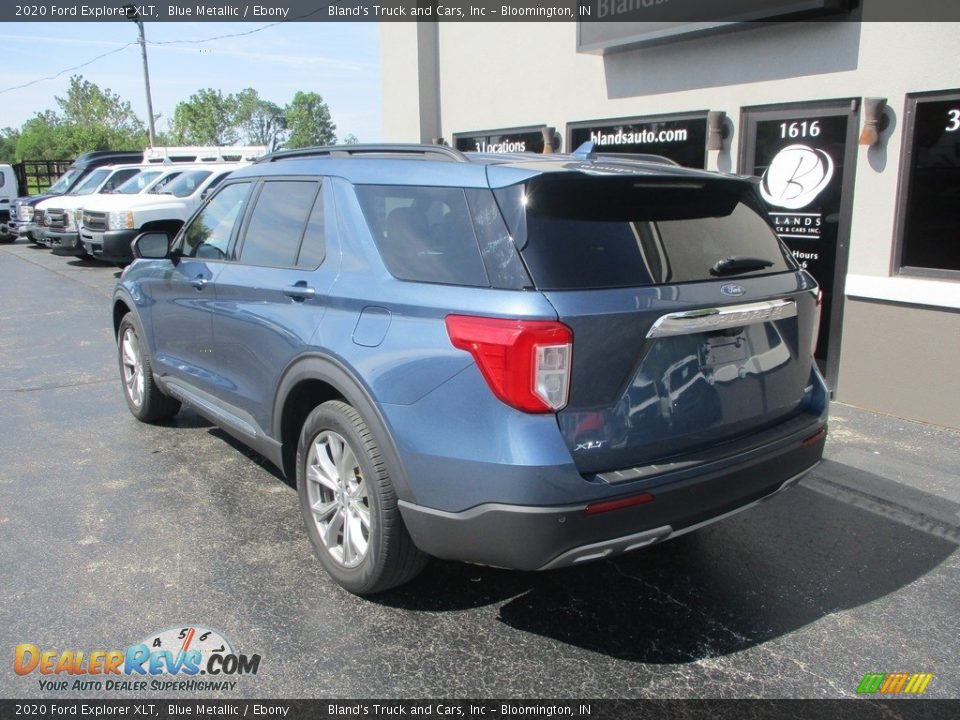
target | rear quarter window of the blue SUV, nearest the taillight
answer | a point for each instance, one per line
(424, 234)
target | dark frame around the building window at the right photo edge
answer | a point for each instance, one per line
(905, 189)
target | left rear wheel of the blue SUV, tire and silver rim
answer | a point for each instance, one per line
(349, 505)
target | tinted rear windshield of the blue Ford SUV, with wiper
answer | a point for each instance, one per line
(584, 233)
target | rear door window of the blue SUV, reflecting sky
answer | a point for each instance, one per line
(278, 222)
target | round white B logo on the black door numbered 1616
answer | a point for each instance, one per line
(795, 176)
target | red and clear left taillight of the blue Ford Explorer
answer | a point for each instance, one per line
(526, 363)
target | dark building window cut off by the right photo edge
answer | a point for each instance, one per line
(930, 190)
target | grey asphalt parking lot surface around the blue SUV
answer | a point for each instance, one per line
(111, 531)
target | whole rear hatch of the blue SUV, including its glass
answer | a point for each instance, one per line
(692, 324)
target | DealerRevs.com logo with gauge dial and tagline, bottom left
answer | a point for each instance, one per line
(173, 659)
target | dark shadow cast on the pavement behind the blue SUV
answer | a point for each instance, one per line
(740, 583)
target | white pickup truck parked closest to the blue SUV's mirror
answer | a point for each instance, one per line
(109, 223)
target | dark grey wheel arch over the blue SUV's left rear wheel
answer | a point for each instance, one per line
(314, 379)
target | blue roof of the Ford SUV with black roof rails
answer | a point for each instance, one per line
(431, 165)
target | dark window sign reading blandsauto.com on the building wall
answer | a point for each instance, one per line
(680, 138)
